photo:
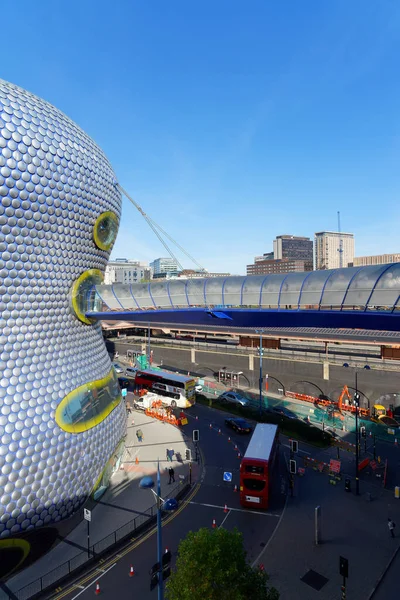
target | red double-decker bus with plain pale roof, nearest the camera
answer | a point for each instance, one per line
(257, 466)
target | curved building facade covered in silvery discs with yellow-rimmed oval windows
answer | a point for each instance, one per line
(61, 415)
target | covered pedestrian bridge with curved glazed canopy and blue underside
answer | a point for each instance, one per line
(356, 297)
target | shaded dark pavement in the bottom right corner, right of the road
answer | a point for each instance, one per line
(352, 527)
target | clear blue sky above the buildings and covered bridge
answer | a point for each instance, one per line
(229, 122)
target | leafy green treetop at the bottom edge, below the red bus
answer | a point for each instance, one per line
(211, 565)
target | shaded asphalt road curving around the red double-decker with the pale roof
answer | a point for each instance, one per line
(208, 504)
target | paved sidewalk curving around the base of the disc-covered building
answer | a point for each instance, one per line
(124, 500)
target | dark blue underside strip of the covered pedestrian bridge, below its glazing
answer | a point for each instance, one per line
(258, 318)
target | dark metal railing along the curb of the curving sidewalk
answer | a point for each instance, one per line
(53, 577)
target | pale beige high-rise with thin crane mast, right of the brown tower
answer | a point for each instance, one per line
(333, 249)
